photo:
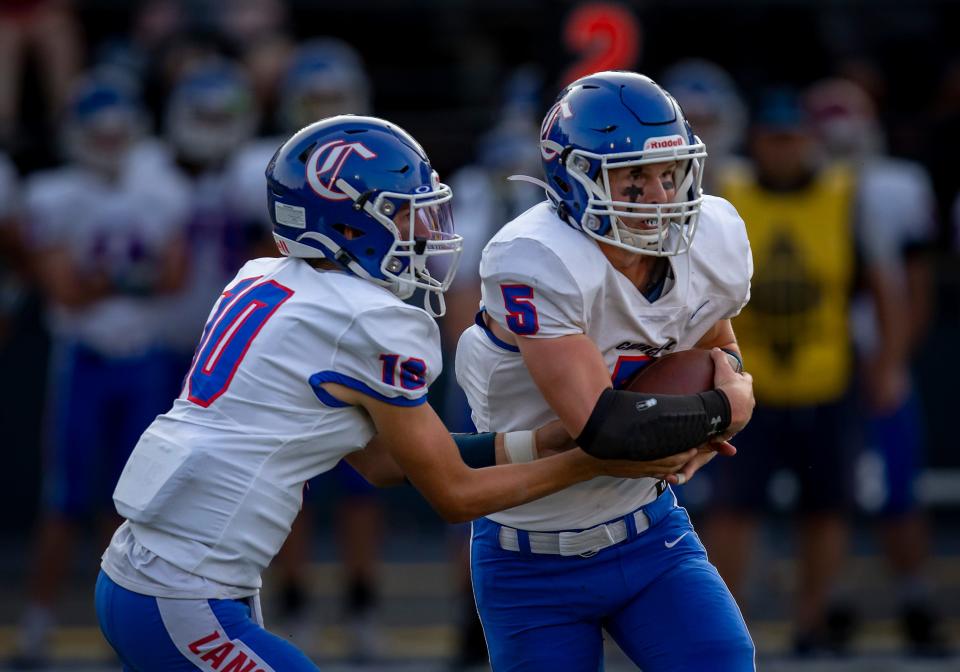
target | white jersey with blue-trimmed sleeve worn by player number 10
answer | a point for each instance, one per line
(214, 484)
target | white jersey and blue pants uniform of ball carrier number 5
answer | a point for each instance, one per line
(609, 551)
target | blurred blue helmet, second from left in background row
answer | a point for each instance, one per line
(211, 112)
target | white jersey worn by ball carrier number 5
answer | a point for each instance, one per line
(544, 279)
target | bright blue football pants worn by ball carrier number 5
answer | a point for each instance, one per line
(656, 594)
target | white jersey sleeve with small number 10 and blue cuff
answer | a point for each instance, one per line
(391, 354)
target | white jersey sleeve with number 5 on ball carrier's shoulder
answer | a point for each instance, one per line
(529, 290)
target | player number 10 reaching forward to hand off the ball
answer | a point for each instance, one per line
(306, 360)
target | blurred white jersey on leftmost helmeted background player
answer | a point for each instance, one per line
(122, 229)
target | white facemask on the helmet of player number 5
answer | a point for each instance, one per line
(666, 229)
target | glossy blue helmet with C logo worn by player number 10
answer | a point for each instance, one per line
(361, 192)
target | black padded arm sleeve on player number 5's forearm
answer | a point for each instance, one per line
(635, 426)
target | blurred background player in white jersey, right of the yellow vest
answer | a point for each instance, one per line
(896, 229)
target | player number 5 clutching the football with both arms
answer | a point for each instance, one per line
(579, 292)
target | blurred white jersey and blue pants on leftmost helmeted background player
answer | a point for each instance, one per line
(107, 367)
